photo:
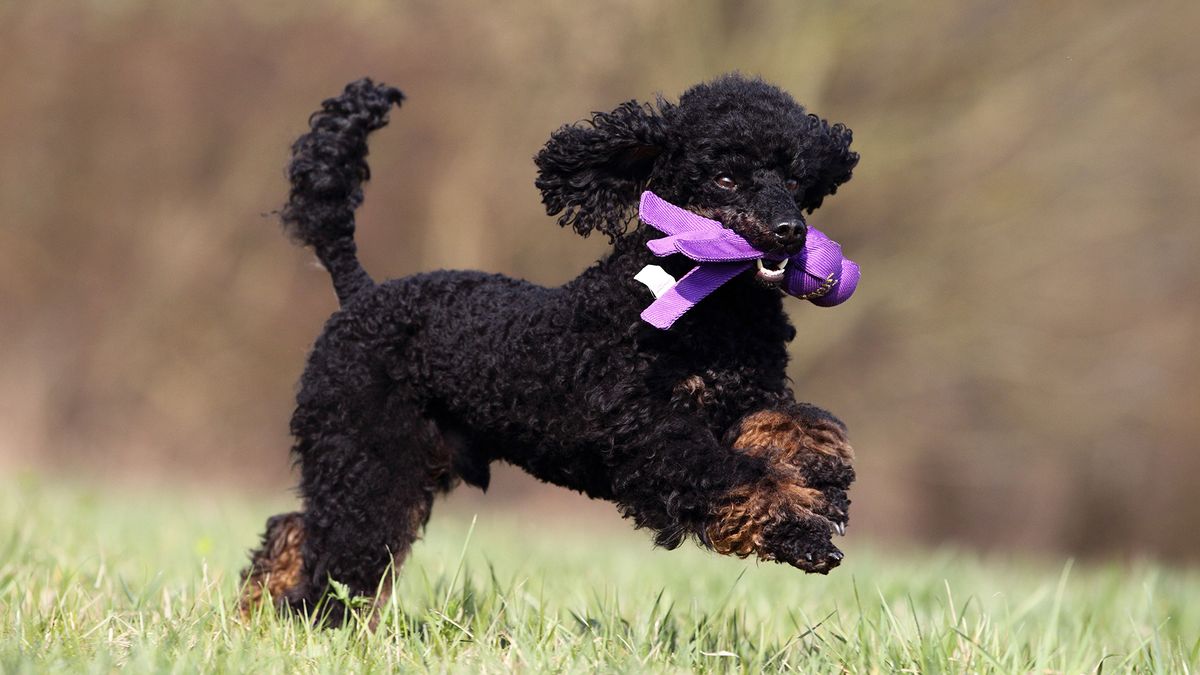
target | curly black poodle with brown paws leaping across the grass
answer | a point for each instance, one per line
(421, 383)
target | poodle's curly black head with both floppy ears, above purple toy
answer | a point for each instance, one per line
(737, 151)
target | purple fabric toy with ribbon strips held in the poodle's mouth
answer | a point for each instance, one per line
(819, 274)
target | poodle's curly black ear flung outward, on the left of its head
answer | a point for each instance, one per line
(593, 172)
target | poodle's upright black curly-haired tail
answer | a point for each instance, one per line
(328, 171)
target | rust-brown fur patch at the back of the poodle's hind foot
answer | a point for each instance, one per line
(278, 566)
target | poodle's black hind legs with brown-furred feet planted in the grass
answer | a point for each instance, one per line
(371, 464)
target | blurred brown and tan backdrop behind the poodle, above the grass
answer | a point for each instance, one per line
(1019, 366)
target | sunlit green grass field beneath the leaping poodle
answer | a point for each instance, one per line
(141, 581)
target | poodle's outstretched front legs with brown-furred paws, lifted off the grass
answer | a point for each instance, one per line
(776, 488)
